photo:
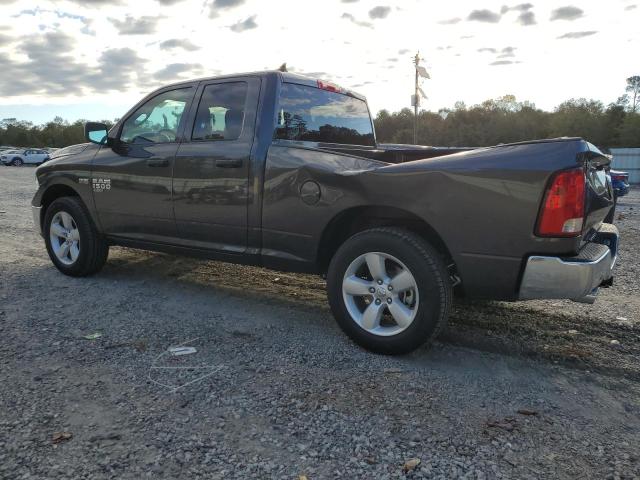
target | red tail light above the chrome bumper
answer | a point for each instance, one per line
(562, 211)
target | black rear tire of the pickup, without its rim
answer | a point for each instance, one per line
(427, 267)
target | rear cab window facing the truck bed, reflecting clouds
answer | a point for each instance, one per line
(307, 113)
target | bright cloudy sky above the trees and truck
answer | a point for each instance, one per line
(94, 59)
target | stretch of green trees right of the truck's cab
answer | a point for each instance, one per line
(506, 120)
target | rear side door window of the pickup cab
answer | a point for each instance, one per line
(220, 113)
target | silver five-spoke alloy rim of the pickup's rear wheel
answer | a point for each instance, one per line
(380, 294)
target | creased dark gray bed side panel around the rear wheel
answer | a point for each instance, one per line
(484, 204)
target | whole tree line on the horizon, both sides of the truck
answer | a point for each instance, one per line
(495, 121)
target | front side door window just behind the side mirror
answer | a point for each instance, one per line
(158, 120)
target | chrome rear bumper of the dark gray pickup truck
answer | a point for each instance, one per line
(575, 278)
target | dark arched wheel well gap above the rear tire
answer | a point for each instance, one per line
(354, 220)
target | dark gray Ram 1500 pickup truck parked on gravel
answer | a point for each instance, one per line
(284, 171)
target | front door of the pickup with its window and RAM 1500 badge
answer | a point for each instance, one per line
(131, 181)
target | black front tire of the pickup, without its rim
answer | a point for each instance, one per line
(94, 250)
